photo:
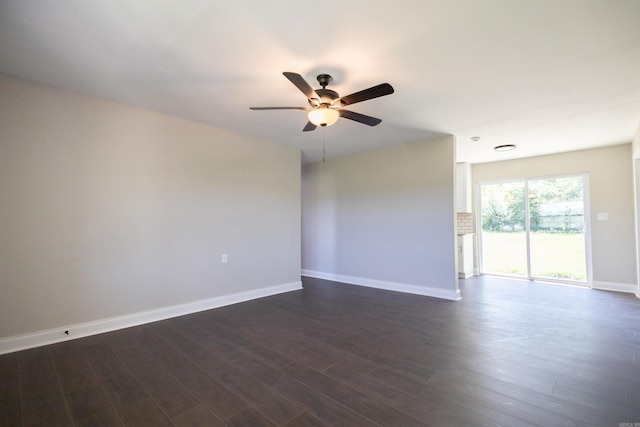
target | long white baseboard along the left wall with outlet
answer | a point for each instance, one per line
(51, 336)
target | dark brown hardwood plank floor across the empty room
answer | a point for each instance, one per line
(511, 353)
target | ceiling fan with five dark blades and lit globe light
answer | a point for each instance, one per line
(325, 105)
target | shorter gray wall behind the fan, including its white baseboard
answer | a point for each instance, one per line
(384, 218)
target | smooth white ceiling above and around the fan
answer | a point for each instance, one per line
(547, 75)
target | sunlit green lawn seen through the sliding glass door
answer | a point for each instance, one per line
(553, 255)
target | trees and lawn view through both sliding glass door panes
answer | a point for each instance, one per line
(536, 228)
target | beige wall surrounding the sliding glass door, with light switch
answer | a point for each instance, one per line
(611, 191)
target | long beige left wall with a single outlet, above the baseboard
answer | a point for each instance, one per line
(109, 210)
